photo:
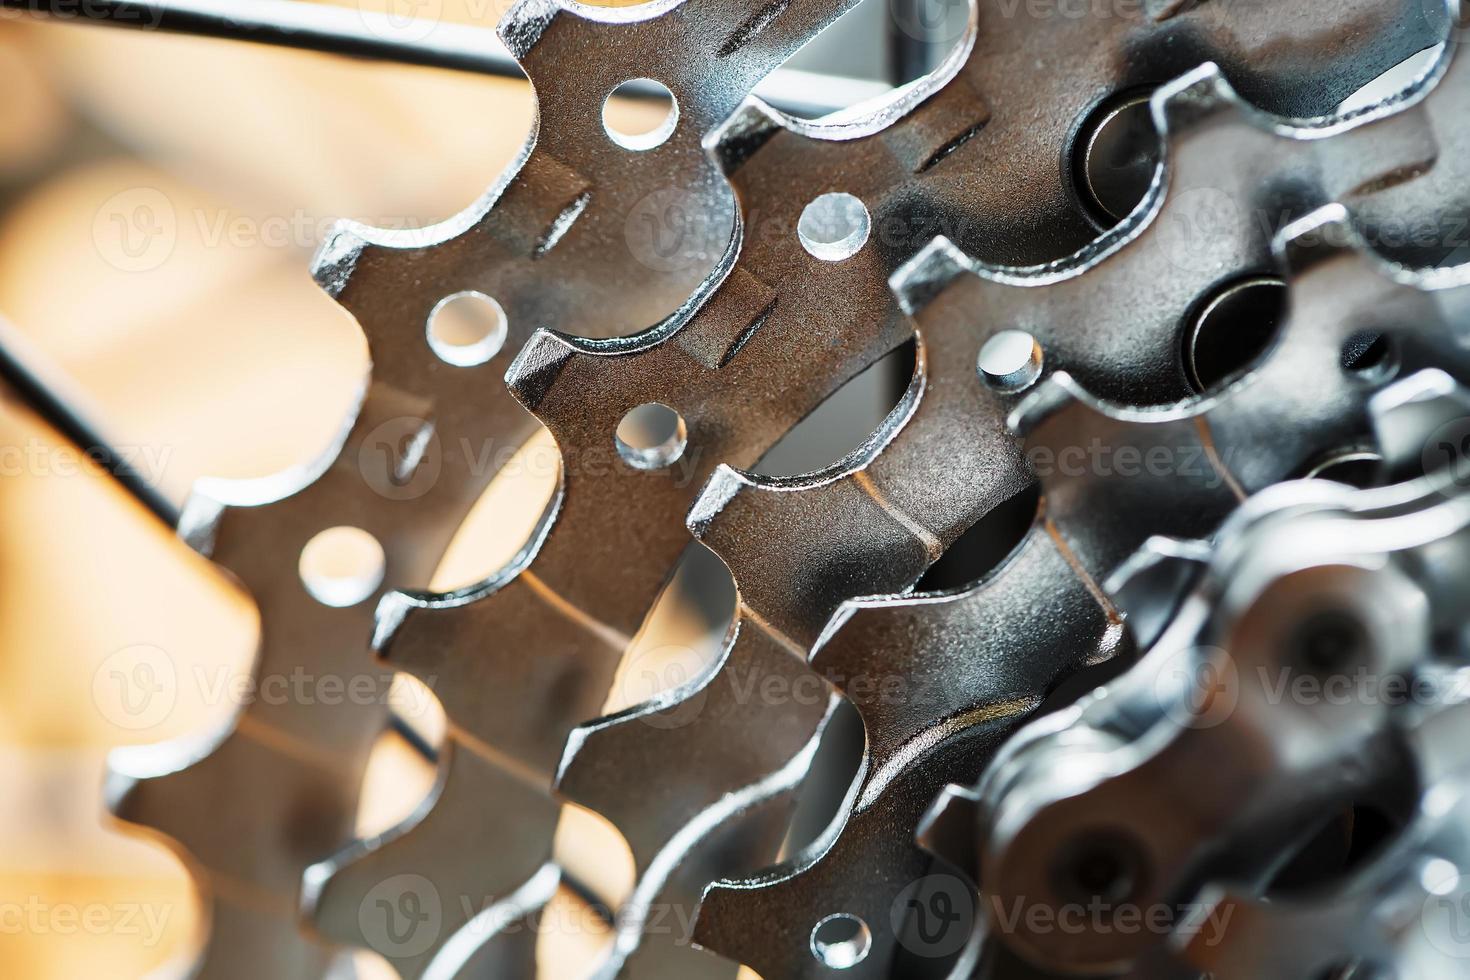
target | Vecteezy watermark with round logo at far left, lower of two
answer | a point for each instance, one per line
(140, 687)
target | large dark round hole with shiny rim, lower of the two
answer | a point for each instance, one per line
(1233, 330)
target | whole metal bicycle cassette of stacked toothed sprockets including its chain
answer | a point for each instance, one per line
(1059, 220)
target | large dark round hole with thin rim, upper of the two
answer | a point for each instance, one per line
(1118, 156)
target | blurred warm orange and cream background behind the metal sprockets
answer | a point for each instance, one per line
(212, 353)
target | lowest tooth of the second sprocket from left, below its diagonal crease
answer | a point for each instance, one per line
(406, 893)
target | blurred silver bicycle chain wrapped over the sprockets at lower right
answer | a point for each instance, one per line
(1380, 572)
